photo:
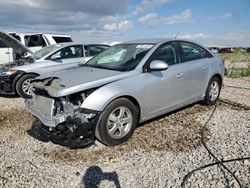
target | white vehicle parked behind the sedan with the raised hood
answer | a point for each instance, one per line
(34, 41)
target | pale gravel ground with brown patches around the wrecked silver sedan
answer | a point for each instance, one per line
(160, 153)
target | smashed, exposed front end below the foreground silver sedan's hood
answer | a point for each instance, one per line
(62, 120)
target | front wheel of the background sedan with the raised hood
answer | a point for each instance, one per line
(23, 87)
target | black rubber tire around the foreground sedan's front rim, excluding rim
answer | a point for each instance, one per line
(102, 123)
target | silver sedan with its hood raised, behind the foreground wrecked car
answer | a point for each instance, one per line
(15, 76)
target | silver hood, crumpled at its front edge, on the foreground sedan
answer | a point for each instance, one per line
(71, 81)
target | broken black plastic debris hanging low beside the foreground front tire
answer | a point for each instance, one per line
(75, 132)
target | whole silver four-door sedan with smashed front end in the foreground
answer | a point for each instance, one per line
(127, 84)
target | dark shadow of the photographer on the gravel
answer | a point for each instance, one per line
(94, 176)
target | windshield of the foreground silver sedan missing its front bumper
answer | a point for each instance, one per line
(121, 57)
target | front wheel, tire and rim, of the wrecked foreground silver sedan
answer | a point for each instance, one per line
(117, 122)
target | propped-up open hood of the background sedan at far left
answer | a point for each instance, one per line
(13, 43)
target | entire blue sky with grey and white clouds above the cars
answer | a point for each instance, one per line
(221, 22)
